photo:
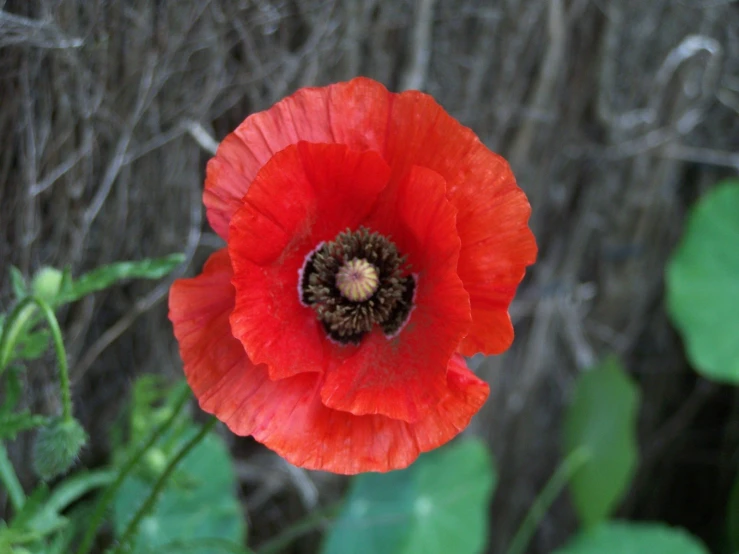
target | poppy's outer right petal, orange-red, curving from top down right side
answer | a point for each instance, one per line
(493, 212)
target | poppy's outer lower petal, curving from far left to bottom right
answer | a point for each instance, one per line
(287, 415)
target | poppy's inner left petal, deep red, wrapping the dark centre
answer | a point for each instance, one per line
(304, 195)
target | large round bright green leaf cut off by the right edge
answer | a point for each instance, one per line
(703, 284)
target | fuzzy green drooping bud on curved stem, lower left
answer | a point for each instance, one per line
(57, 446)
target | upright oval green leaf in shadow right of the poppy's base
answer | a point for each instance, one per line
(602, 420)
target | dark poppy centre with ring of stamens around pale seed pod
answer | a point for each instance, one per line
(356, 281)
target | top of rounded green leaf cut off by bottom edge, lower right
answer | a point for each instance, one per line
(633, 538)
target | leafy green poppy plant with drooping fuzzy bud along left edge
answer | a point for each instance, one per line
(48, 520)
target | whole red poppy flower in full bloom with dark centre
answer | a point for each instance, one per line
(372, 241)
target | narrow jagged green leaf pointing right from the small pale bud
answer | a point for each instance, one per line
(108, 275)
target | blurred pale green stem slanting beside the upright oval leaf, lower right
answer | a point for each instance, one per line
(546, 497)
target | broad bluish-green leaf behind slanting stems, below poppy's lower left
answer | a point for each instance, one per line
(200, 503)
